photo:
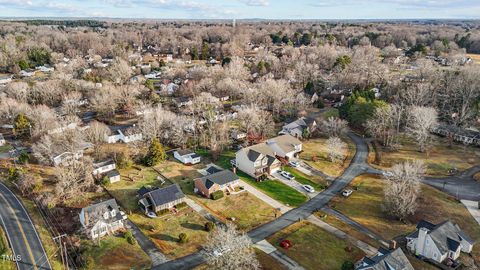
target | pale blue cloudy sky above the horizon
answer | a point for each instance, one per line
(227, 9)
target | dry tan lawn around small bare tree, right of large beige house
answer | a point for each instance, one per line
(315, 153)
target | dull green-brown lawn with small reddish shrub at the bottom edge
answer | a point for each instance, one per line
(315, 248)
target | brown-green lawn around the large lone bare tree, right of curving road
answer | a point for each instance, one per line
(434, 206)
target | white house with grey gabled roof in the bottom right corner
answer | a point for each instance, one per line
(439, 242)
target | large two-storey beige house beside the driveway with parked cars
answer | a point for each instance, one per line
(263, 158)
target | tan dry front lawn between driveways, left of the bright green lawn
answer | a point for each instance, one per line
(248, 211)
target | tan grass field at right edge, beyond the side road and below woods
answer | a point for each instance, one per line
(440, 159)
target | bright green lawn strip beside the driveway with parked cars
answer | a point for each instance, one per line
(277, 190)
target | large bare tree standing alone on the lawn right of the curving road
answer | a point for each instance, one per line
(402, 189)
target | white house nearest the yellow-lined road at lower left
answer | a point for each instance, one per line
(102, 218)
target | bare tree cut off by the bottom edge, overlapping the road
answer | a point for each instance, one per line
(226, 248)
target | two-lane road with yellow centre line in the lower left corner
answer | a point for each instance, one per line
(21, 233)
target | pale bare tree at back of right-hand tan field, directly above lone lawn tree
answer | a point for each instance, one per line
(421, 121)
